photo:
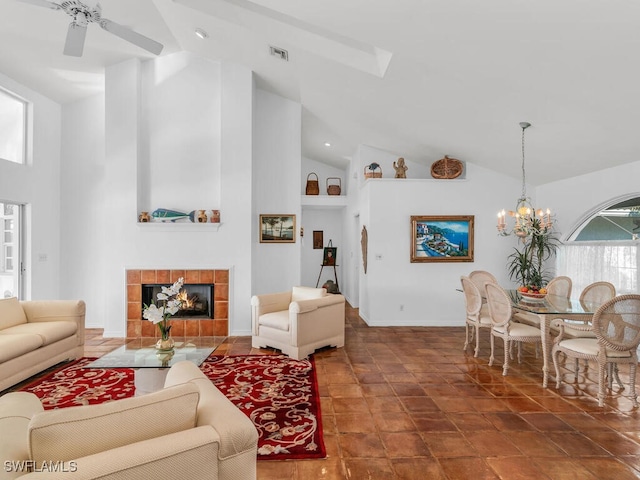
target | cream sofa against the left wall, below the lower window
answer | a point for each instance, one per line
(37, 334)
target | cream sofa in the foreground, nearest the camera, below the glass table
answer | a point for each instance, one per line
(189, 429)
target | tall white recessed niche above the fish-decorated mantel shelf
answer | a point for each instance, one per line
(180, 133)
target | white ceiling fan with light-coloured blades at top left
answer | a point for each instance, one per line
(91, 12)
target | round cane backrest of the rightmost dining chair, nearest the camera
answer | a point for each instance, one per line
(617, 323)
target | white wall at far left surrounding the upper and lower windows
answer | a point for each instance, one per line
(37, 185)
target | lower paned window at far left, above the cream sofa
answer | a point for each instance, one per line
(10, 242)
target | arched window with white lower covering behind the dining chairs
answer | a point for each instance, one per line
(604, 247)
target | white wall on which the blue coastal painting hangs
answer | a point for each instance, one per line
(427, 291)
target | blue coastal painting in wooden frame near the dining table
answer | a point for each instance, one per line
(441, 238)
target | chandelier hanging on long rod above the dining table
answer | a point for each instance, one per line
(528, 220)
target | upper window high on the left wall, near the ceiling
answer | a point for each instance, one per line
(13, 127)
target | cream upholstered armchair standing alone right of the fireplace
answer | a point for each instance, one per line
(298, 321)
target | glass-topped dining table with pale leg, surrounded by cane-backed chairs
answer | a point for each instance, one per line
(549, 308)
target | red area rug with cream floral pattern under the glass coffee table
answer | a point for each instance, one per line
(279, 394)
